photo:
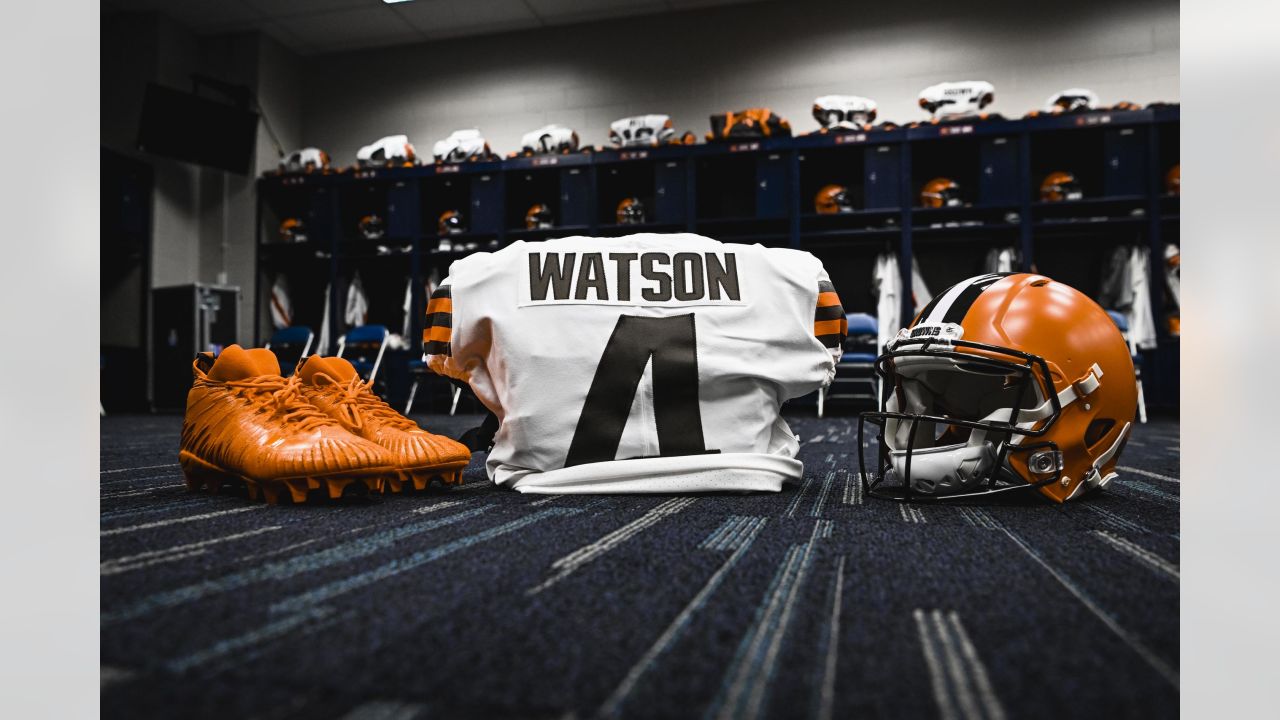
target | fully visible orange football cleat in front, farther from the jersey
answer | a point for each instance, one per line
(246, 423)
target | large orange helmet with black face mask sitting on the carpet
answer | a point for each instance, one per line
(1004, 382)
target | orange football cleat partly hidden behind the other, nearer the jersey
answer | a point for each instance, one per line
(335, 386)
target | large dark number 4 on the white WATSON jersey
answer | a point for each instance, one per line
(673, 343)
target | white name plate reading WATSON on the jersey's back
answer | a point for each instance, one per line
(607, 277)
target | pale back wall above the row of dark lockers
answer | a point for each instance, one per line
(776, 54)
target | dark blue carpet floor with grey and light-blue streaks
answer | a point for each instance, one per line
(478, 603)
